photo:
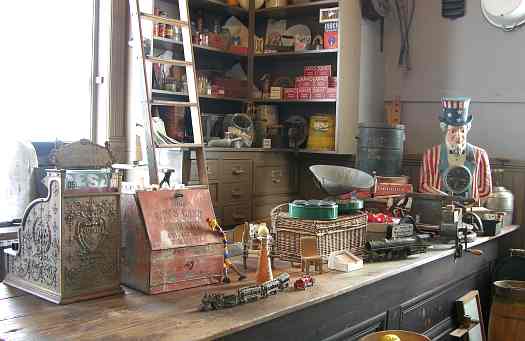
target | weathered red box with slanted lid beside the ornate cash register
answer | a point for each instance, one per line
(167, 244)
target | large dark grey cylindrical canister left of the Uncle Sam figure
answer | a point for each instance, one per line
(380, 148)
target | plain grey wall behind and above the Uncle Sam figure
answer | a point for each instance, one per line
(466, 57)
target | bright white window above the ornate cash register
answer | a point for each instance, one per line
(47, 61)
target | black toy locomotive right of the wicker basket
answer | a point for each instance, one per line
(392, 249)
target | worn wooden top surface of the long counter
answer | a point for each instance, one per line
(175, 316)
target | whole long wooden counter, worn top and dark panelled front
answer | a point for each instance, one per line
(413, 294)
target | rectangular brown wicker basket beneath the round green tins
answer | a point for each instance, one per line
(347, 232)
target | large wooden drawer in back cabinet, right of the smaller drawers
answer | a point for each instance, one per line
(272, 180)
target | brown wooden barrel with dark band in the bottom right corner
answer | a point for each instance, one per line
(507, 322)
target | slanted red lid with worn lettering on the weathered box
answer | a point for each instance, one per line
(177, 219)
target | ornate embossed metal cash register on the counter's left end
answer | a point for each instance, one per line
(68, 243)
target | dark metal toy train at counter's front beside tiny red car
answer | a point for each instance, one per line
(246, 294)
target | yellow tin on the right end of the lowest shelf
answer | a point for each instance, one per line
(321, 135)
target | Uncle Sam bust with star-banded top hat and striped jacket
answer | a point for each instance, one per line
(455, 166)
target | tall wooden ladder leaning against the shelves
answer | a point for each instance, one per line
(146, 98)
